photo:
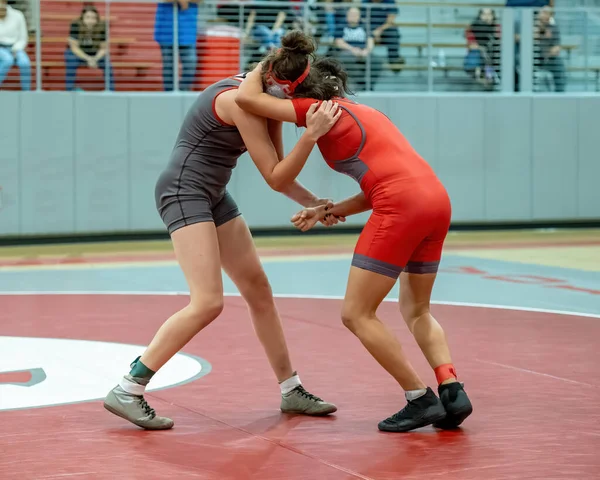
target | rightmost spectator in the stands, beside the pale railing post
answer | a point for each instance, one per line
(547, 48)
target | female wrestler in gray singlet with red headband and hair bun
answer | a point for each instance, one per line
(208, 232)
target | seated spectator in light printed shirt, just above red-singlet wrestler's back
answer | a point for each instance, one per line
(354, 47)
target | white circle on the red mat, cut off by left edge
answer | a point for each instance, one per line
(38, 372)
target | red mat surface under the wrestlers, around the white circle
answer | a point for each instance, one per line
(532, 378)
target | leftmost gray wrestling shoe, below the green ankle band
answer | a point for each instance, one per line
(134, 408)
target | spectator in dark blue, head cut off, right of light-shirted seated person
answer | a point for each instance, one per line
(382, 22)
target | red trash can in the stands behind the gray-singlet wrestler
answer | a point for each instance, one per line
(219, 54)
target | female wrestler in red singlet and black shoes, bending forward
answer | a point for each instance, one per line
(403, 238)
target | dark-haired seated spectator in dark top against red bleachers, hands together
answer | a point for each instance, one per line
(87, 46)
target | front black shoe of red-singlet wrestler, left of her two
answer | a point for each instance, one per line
(418, 413)
